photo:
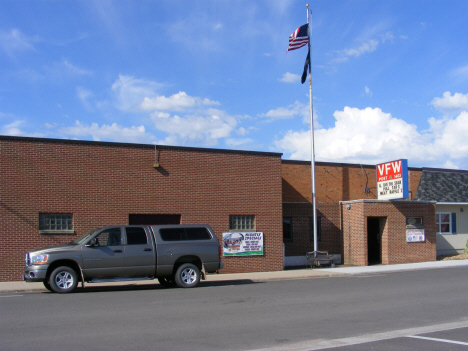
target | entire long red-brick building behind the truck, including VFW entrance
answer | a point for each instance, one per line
(88, 184)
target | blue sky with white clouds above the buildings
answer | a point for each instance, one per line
(390, 78)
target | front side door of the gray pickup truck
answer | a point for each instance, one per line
(105, 259)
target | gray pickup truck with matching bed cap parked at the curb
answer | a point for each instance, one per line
(174, 254)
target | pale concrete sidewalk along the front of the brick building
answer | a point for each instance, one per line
(306, 273)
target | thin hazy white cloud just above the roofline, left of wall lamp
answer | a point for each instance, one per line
(112, 132)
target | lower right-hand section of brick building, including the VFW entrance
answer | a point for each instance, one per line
(370, 231)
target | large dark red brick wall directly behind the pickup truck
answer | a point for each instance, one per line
(102, 183)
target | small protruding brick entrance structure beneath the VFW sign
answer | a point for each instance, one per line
(395, 249)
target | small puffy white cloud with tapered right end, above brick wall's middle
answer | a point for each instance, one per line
(176, 102)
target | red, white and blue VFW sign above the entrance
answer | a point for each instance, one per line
(392, 180)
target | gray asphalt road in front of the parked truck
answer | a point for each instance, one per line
(300, 314)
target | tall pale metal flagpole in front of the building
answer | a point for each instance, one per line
(312, 149)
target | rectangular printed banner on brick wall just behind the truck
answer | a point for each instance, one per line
(242, 244)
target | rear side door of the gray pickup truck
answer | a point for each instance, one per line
(140, 256)
